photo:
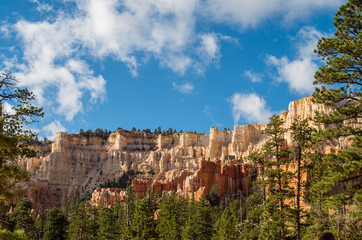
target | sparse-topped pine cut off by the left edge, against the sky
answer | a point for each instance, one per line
(12, 136)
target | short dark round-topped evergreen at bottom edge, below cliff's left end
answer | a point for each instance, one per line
(55, 227)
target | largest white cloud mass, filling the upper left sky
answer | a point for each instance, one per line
(54, 51)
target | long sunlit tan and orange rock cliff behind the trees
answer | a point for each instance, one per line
(182, 162)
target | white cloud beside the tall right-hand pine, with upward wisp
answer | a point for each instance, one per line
(299, 73)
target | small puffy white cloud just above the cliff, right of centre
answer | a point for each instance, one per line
(250, 107)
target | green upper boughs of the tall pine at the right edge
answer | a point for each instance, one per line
(342, 72)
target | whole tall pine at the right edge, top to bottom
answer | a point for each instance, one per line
(340, 78)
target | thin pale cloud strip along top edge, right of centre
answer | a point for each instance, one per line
(246, 13)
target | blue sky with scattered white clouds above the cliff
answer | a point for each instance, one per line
(183, 64)
